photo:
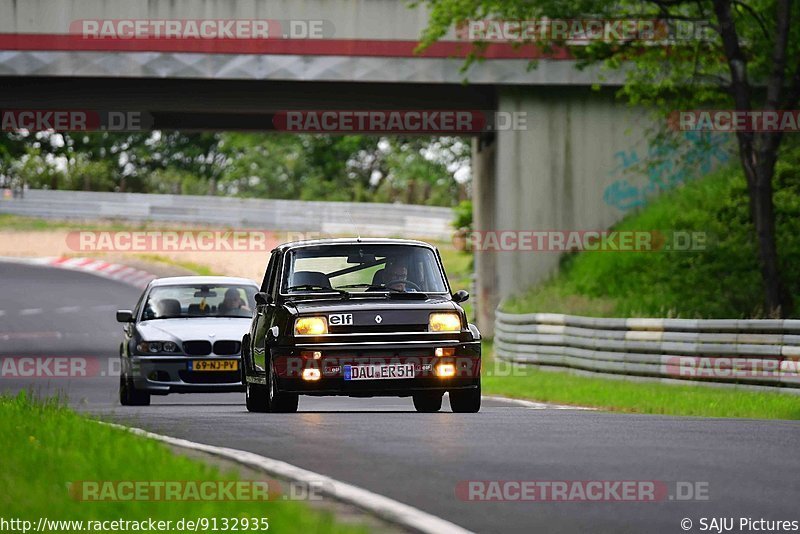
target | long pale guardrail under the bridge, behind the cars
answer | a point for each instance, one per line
(333, 218)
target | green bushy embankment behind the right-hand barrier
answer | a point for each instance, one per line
(722, 281)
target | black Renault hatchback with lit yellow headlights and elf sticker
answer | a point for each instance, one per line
(362, 318)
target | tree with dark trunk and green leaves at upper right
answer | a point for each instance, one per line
(746, 57)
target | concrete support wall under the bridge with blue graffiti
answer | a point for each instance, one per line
(554, 175)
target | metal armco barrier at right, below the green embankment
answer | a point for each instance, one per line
(750, 352)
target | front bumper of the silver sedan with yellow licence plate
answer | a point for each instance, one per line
(163, 375)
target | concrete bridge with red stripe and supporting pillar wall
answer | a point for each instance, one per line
(566, 170)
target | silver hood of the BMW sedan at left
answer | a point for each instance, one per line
(205, 328)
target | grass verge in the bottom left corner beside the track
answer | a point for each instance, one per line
(46, 446)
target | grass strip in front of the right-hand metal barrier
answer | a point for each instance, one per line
(531, 383)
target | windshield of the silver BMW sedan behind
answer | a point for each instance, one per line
(199, 300)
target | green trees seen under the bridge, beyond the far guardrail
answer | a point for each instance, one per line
(417, 170)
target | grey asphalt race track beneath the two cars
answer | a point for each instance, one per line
(750, 467)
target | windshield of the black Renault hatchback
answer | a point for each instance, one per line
(362, 268)
